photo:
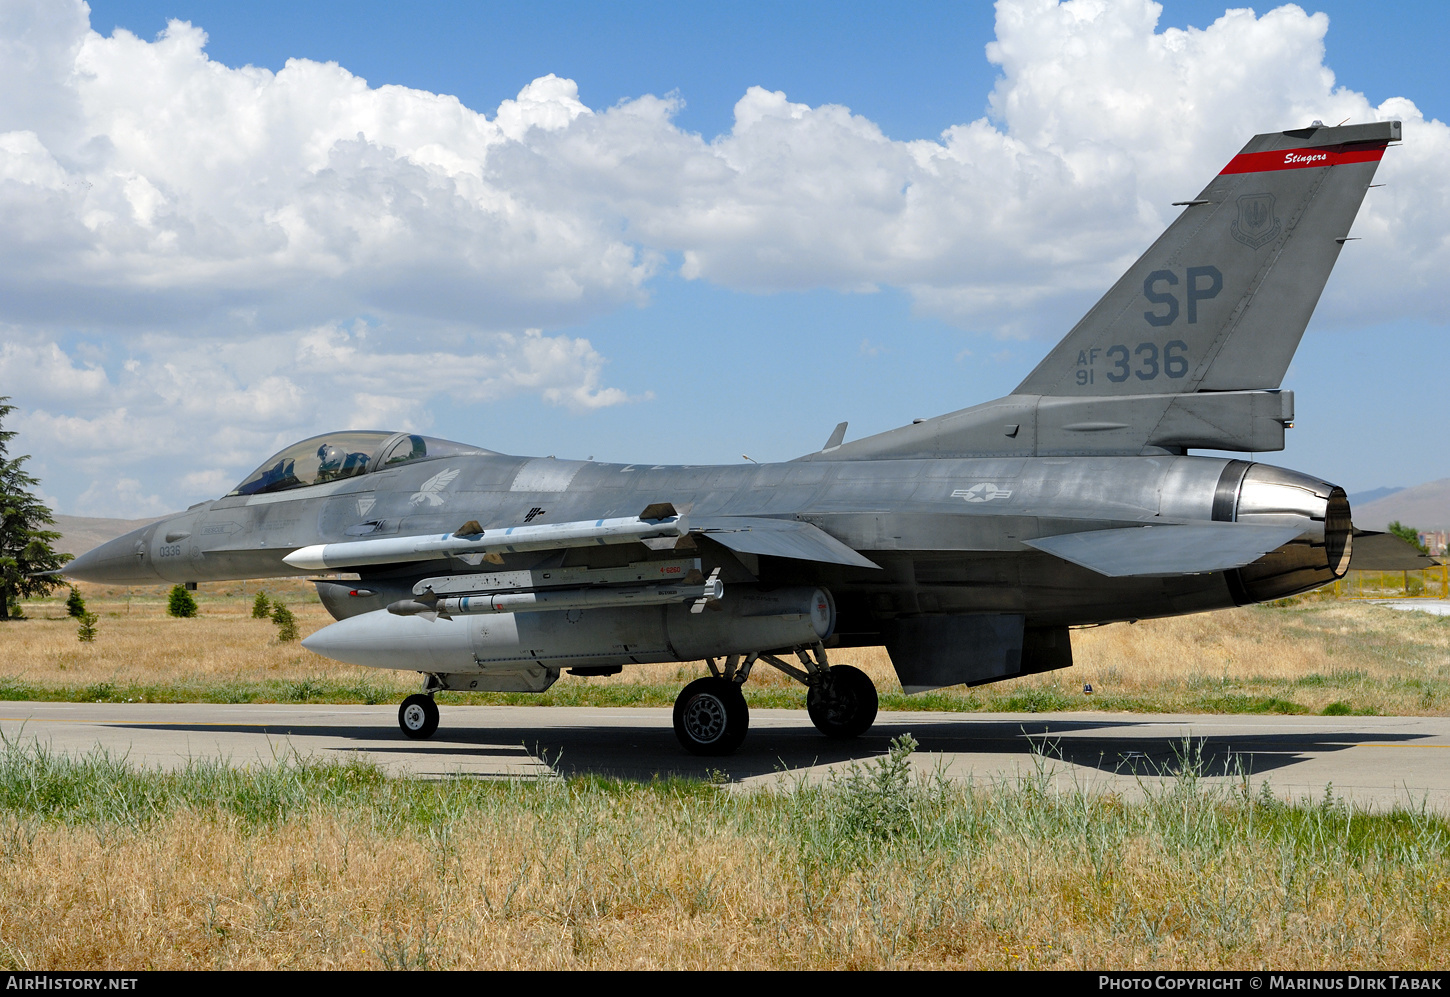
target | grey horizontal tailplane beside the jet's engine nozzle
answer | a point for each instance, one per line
(1169, 550)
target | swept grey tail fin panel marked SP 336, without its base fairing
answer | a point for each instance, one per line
(1222, 301)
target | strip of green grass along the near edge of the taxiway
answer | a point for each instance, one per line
(871, 806)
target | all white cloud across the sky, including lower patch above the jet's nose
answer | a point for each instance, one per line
(234, 244)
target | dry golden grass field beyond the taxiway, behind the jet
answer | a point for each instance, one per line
(1317, 656)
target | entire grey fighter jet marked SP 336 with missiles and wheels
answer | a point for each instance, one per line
(969, 546)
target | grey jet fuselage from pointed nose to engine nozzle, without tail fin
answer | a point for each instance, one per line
(948, 534)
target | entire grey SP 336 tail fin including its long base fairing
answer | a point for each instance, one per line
(1190, 347)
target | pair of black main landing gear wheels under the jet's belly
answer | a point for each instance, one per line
(711, 717)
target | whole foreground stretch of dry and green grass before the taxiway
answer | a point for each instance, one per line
(302, 867)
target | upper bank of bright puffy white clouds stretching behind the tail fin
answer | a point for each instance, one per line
(144, 172)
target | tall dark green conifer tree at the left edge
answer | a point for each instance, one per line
(25, 544)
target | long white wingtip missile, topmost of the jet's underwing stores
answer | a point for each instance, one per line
(656, 522)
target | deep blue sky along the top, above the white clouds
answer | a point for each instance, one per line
(914, 69)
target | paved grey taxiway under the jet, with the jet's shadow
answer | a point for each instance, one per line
(1372, 762)
